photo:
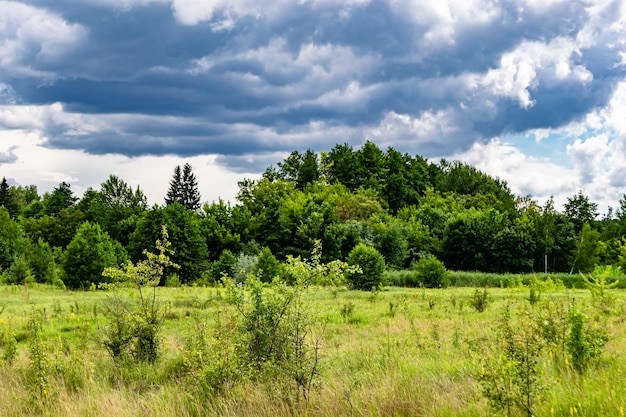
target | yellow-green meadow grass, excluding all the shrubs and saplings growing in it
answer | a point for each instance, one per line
(400, 351)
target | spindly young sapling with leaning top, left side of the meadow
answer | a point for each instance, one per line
(148, 315)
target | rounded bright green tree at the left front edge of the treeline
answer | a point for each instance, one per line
(87, 255)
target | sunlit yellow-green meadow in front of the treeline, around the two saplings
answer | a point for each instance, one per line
(398, 351)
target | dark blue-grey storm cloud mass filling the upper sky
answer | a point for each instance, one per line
(148, 82)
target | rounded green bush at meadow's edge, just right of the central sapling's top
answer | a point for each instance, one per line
(372, 265)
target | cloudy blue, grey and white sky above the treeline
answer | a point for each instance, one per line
(530, 91)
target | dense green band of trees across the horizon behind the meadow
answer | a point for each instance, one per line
(401, 205)
